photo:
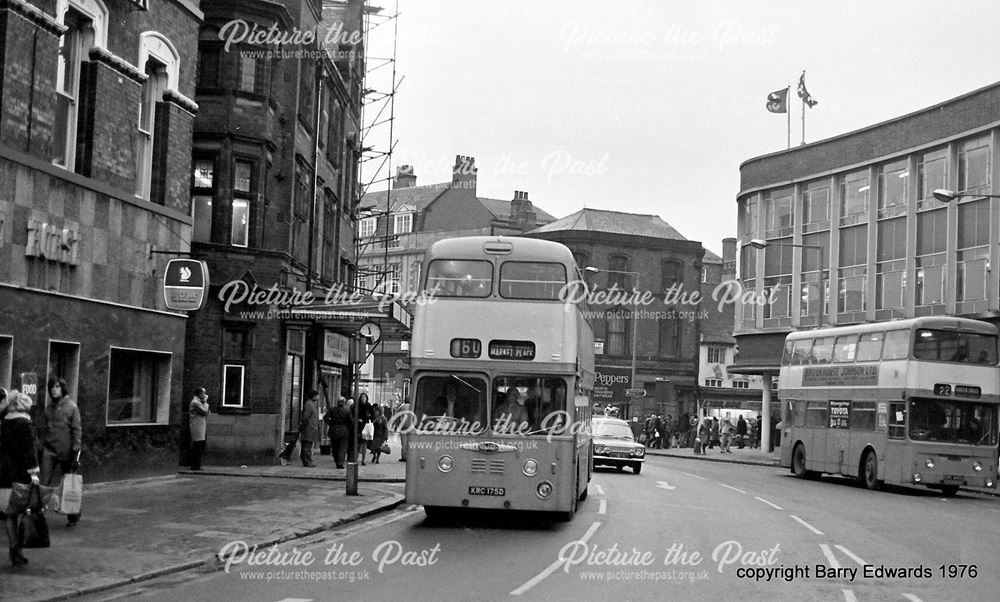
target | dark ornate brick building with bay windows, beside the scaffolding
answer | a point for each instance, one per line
(274, 188)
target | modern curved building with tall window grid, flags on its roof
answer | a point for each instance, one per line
(848, 230)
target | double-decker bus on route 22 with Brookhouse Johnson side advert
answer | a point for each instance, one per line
(907, 402)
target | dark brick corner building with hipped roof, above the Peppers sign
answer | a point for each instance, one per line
(667, 342)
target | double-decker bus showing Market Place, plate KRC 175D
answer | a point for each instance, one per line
(502, 372)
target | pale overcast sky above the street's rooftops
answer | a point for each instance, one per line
(650, 107)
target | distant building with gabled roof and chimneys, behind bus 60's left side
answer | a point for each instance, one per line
(398, 225)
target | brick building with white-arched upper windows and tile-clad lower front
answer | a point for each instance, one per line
(95, 125)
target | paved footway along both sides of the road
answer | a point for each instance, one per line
(136, 530)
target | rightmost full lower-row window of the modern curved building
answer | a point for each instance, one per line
(973, 249)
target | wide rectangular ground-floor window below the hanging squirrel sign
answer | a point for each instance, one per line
(138, 387)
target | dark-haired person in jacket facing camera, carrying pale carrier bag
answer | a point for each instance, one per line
(63, 437)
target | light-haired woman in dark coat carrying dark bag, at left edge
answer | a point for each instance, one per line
(18, 464)
